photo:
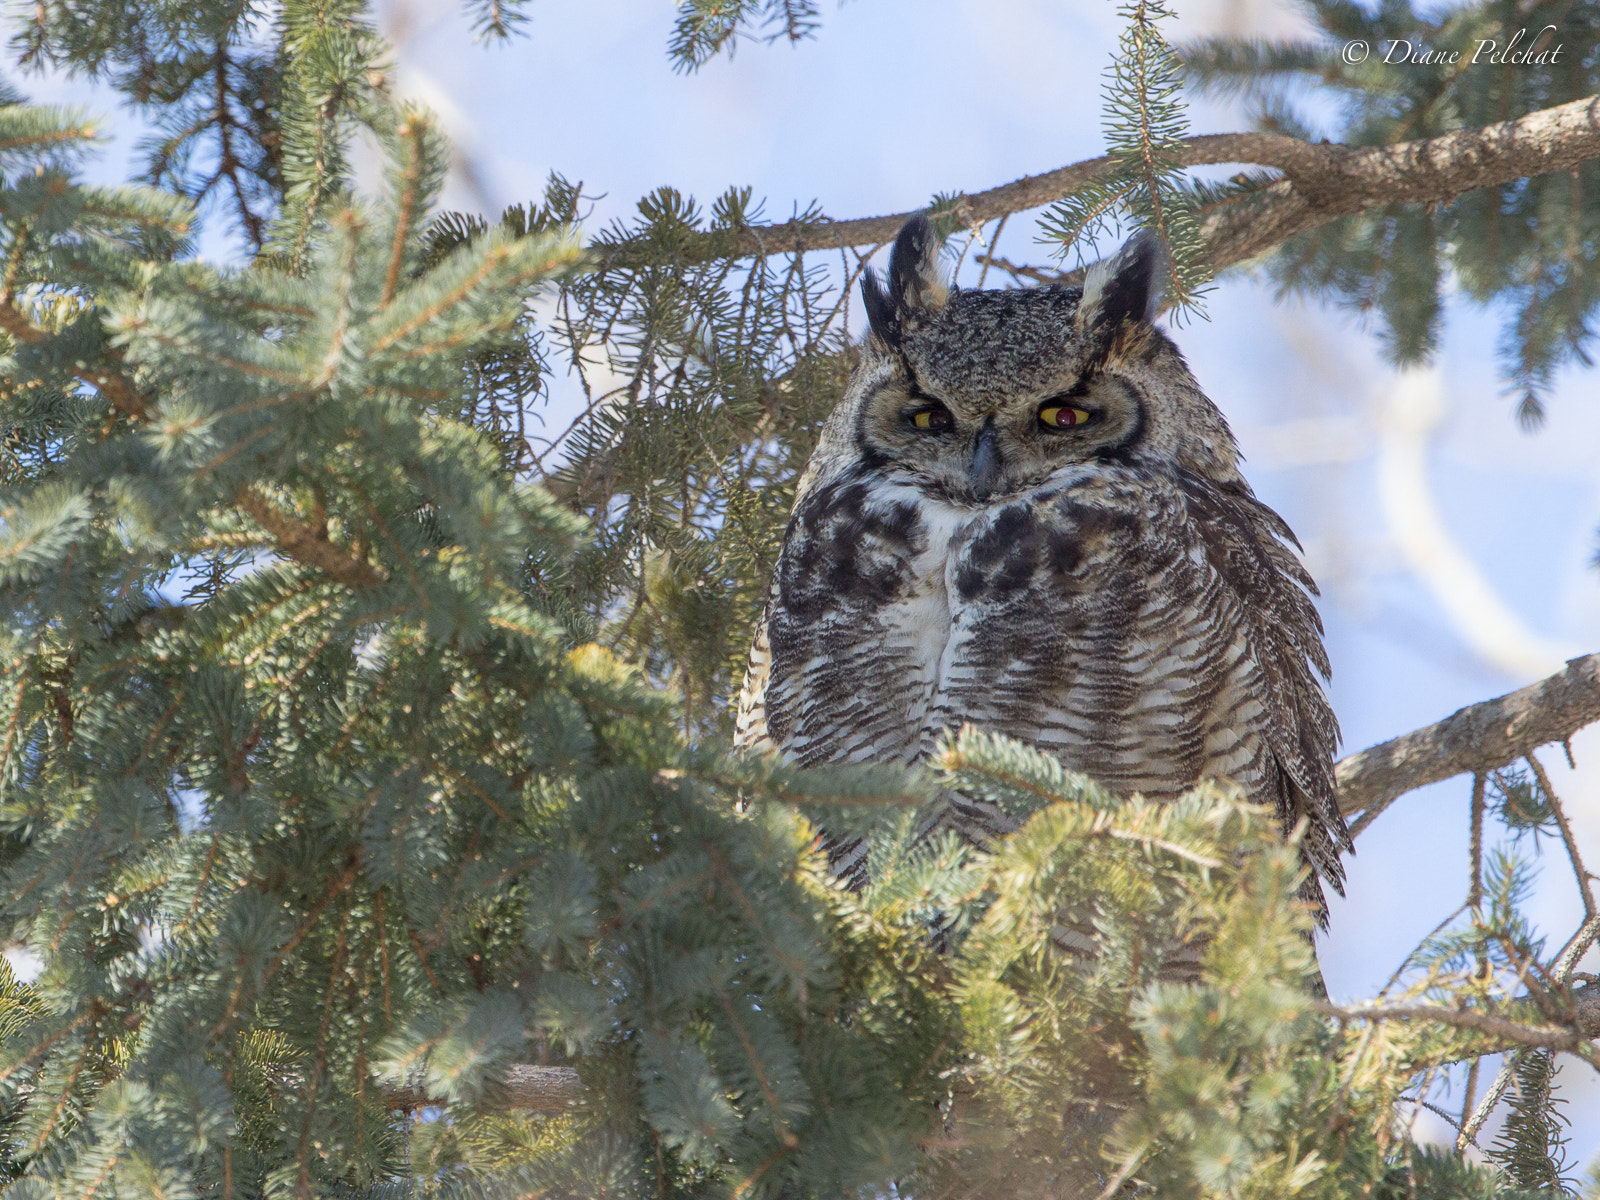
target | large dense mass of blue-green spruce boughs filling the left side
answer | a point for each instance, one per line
(358, 818)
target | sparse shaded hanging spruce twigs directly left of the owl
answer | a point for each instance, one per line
(708, 382)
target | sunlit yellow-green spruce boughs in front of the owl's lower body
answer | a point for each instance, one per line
(1082, 1073)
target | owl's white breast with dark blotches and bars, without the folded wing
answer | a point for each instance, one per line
(1071, 617)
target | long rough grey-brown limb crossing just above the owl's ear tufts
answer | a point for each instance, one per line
(1321, 183)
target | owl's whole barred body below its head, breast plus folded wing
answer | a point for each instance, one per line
(1148, 630)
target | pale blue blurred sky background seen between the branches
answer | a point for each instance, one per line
(1455, 551)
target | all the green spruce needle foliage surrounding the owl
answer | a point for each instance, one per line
(361, 761)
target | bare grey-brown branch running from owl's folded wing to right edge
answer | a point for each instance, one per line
(1478, 738)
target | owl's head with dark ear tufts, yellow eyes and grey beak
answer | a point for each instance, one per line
(982, 394)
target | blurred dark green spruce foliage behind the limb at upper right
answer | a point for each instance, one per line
(1527, 246)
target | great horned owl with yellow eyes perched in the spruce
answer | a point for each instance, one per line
(1025, 514)
